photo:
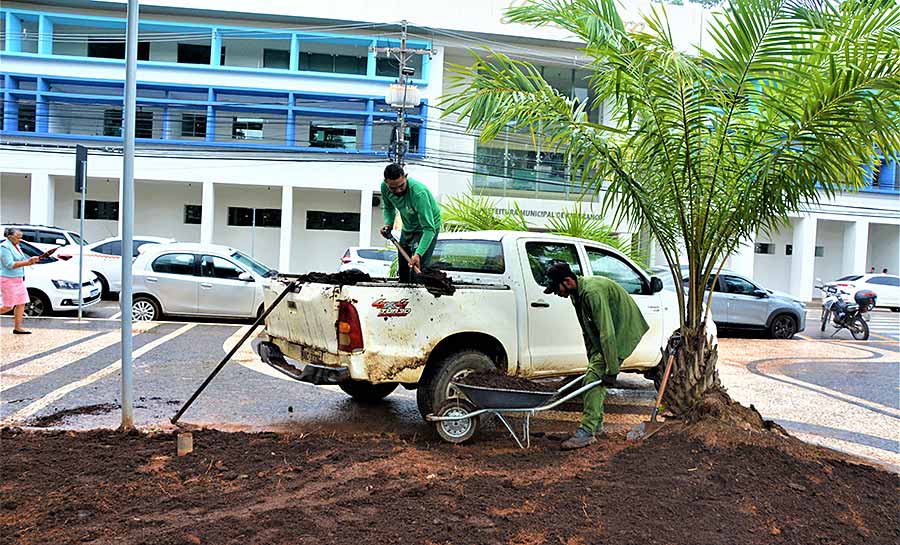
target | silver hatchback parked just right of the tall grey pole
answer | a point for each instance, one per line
(184, 279)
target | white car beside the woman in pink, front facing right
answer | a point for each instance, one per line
(53, 284)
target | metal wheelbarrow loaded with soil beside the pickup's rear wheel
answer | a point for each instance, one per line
(458, 419)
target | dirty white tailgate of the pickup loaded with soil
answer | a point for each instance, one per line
(306, 318)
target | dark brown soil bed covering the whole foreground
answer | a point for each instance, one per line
(311, 488)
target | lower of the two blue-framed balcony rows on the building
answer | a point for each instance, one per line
(91, 110)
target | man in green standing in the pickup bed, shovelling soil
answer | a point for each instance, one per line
(420, 214)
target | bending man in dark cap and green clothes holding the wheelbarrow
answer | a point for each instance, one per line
(612, 326)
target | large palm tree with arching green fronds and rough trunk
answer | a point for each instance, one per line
(706, 147)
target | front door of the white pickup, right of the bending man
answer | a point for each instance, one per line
(604, 263)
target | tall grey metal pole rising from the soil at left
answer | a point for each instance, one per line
(128, 214)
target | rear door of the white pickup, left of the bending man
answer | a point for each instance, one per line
(554, 336)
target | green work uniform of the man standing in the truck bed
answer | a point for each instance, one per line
(421, 217)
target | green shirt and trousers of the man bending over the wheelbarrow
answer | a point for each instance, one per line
(612, 326)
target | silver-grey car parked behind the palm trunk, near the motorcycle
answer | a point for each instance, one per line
(740, 303)
